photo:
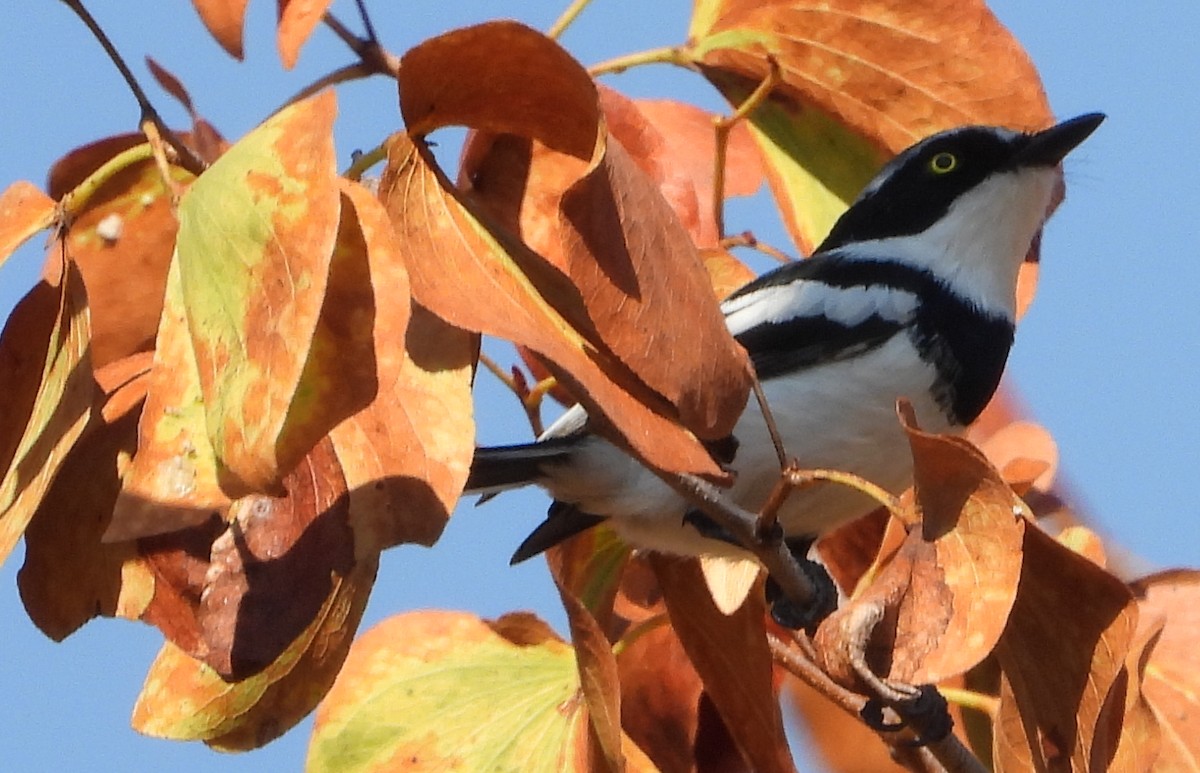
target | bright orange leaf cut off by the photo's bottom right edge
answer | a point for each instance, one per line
(1171, 682)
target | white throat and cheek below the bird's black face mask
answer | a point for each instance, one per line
(977, 248)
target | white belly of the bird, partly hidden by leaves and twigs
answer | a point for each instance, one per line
(839, 416)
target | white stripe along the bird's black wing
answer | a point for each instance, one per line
(848, 307)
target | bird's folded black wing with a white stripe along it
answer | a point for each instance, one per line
(820, 310)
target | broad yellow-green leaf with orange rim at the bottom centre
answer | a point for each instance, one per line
(424, 690)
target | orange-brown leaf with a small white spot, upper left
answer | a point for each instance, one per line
(122, 239)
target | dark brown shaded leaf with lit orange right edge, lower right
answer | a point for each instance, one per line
(1065, 646)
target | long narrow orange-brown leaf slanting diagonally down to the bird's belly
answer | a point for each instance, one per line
(514, 298)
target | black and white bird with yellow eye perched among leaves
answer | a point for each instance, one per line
(913, 296)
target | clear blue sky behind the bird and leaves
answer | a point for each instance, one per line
(1107, 359)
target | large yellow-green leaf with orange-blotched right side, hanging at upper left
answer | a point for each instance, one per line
(256, 238)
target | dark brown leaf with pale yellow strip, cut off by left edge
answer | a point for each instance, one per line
(46, 379)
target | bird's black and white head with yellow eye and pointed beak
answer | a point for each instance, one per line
(964, 205)
